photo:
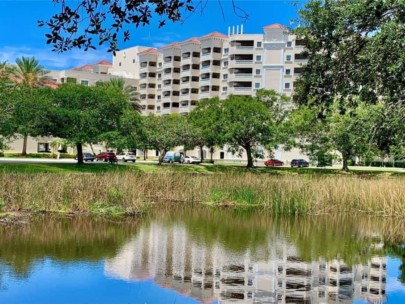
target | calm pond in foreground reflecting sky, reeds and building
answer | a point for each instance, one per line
(201, 255)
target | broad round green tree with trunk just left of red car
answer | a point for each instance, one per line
(84, 114)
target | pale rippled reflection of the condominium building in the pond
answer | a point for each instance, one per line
(272, 274)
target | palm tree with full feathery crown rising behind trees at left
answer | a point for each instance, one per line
(28, 74)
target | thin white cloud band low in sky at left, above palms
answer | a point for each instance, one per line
(51, 60)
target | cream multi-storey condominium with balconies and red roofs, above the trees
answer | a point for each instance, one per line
(174, 78)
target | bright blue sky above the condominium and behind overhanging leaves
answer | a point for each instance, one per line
(20, 35)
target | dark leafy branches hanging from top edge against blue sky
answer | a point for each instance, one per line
(87, 23)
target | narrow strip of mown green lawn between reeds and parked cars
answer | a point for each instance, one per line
(196, 169)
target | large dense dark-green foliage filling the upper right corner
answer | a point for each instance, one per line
(353, 48)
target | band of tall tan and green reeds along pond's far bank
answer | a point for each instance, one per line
(128, 193)
